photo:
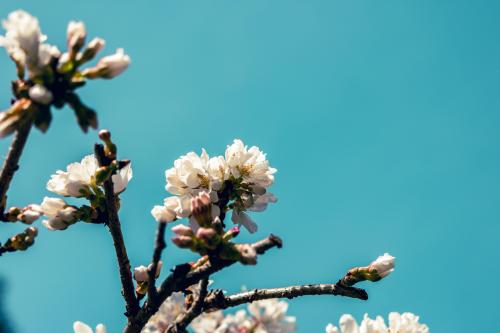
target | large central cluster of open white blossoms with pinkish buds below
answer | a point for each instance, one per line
(204, 189)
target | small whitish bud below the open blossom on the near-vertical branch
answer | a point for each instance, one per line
(60, 215)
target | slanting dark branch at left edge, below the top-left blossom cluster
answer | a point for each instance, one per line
(11, 164)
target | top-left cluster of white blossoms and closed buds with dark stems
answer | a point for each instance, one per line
(53, 76)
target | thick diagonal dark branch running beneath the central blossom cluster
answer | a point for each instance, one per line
(182, 277)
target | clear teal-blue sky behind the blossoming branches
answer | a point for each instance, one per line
(381, 116)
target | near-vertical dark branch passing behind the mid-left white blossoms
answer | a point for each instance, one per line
(128, 290)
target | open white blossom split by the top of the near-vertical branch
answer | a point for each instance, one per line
(77, 179)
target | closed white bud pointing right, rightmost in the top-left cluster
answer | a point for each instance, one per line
(109, 67)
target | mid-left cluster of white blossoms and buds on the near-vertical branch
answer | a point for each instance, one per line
(81, 180)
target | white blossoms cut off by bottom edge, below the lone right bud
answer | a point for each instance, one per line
(400, 323)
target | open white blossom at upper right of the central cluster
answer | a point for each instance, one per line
(249, 164)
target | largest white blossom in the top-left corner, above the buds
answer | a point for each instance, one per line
(22, 38)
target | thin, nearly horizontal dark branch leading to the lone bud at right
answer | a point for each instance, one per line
(217, 301)
